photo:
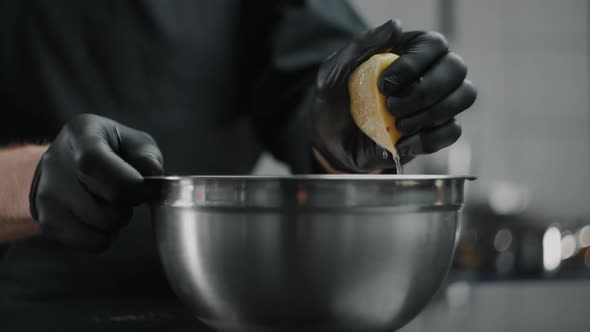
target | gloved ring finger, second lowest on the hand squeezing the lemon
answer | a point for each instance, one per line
(458, 101)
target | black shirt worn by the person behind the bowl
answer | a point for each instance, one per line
(214, 82)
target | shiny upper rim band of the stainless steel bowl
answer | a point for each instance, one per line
(308, 191)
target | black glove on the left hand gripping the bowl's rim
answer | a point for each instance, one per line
(88, 181)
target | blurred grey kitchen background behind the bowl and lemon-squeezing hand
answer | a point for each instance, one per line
(523, 257)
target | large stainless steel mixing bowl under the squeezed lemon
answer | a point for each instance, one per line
(306, 253)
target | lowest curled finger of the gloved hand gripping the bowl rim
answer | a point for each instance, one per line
(59, 223)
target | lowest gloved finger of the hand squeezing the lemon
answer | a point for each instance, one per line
(430, 140)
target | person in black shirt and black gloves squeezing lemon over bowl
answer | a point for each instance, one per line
(95, 95)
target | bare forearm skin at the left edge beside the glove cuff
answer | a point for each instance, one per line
(17, 166)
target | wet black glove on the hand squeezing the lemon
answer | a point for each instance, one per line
(426, 89)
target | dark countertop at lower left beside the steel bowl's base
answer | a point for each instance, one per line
(112, 315)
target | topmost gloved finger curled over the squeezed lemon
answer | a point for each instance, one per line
(417, 51)
